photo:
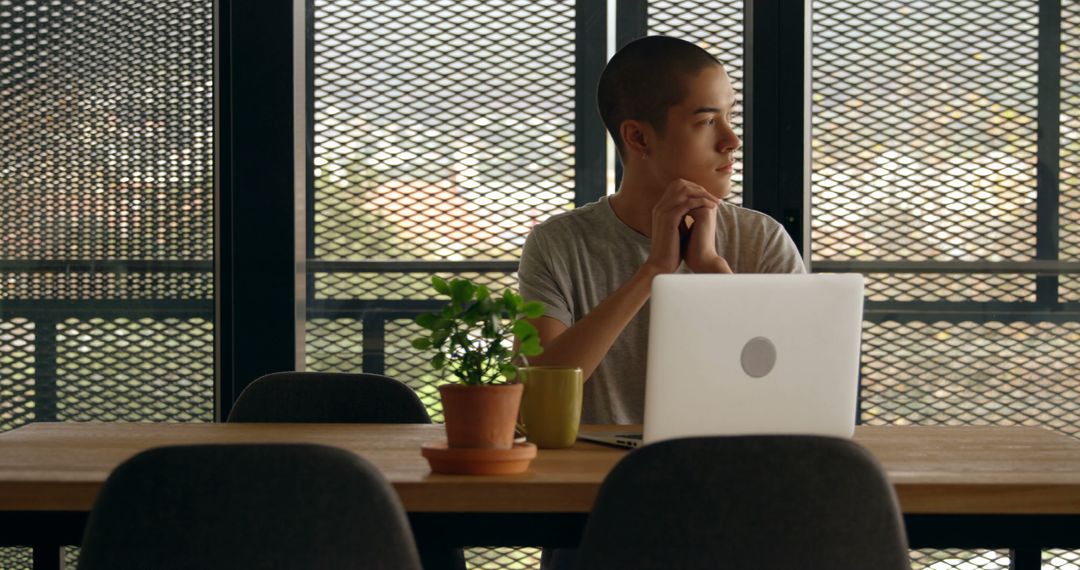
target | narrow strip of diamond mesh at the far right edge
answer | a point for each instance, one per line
(1070, 151)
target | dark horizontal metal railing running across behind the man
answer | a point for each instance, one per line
(46, 315)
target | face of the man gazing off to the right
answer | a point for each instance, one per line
(698, 143)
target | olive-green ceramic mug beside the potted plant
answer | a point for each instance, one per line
(551, 405)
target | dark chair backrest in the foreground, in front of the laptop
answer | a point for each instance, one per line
(750, 503)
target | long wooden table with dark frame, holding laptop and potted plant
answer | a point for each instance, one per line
(958, 487)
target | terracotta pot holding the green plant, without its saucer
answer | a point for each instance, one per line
(481, 417)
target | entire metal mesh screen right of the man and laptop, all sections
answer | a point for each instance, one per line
(924, 150)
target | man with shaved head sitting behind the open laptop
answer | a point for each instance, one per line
(668, 105)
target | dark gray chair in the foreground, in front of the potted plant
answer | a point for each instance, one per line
(258, 507)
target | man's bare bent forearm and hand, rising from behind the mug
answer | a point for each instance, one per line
(587, 343)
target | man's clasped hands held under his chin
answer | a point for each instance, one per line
(673, 241)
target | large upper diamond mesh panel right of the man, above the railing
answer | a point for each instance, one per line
(925, 130)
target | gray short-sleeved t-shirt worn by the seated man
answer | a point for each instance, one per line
(575, 261)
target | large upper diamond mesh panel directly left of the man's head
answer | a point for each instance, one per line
(443, 130)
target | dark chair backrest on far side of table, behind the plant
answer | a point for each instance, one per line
(329, 398)
